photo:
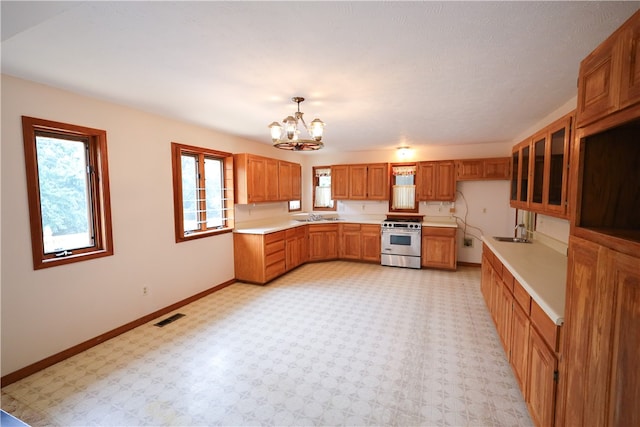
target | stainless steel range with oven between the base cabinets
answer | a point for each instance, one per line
(401, 242)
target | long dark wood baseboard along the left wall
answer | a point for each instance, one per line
(65, 354)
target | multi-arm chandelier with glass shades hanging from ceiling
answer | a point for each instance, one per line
(287, 136)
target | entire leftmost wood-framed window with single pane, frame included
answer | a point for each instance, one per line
(68, 192)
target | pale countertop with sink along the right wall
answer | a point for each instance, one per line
(541, 270)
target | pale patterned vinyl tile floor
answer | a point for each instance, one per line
(334, 343)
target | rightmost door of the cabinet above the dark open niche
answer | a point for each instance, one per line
(630, 81)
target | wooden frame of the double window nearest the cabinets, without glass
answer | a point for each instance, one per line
(177, 150)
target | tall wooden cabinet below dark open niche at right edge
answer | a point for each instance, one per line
(598, 371)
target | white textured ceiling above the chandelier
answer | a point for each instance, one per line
(380, 74)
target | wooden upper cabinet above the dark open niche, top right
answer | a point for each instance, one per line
(609, 78)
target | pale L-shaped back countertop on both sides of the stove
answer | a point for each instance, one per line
(278, 224)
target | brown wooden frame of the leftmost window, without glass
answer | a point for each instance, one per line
(100, 208)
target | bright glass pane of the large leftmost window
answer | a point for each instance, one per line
(65, 199)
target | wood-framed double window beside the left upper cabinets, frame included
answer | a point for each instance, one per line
(202, 191)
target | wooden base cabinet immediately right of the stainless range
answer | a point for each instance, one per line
(439, 248)
